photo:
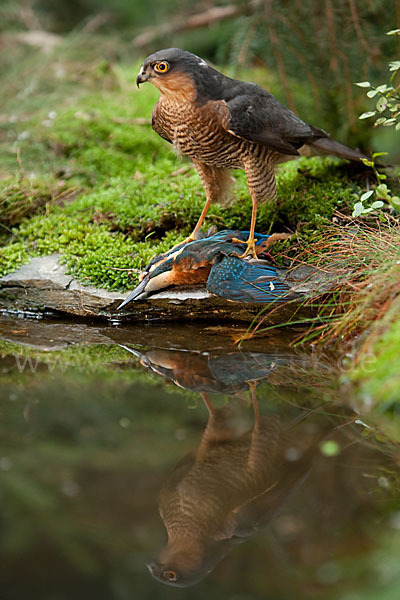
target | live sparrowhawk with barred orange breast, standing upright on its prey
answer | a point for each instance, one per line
(222, 124)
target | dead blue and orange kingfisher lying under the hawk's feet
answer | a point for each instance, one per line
(215, 262)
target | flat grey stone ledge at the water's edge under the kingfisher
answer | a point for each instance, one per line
(43, 285)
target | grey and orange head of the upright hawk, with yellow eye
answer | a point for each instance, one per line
(175, 71)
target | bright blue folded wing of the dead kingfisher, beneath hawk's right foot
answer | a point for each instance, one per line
(239, 280)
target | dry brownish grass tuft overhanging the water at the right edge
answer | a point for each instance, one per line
(365, 262)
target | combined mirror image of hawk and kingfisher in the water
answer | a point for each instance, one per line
(241, 474)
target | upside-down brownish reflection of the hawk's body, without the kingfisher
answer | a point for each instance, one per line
(225, 491)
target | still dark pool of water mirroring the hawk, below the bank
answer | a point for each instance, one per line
(165, 462)
